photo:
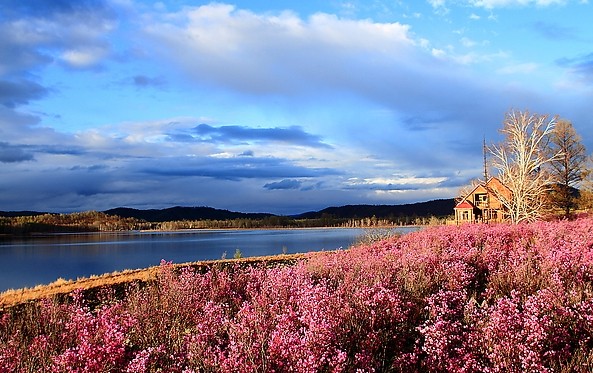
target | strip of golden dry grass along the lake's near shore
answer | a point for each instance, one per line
(61, 287)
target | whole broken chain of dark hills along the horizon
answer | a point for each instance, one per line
(439, 208)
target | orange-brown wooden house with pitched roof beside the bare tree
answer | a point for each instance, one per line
(484, 204)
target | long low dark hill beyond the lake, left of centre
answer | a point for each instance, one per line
(183, 213)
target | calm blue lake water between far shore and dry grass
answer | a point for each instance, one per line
(41, 260)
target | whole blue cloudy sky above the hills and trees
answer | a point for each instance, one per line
(274, 106)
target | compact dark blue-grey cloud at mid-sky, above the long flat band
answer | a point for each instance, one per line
(292, 135)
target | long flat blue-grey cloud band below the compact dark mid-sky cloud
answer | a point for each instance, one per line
(232, 168)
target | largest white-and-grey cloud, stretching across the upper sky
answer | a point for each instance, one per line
(266, 54)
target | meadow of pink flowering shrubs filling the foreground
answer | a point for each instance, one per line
(475, 298)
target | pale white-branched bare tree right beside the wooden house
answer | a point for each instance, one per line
(520, 162)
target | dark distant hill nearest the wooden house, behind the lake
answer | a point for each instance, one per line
(439, 207)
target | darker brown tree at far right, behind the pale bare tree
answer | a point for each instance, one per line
(567, 169)
